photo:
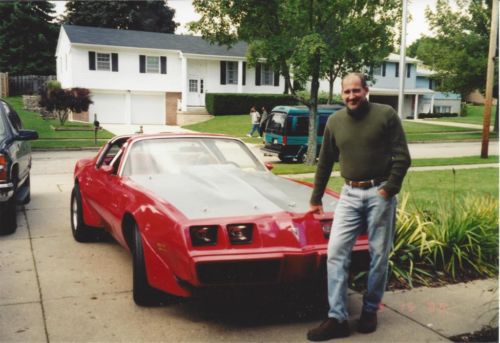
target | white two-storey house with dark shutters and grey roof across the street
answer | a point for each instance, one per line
(138, 77)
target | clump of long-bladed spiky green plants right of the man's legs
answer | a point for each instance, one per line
(457, 239)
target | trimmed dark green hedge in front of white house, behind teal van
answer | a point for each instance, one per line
(237, 103)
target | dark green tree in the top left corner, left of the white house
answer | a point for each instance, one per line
(28, 38)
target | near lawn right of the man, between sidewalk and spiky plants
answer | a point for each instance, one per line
(427, 187)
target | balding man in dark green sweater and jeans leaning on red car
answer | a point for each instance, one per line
(374, 158)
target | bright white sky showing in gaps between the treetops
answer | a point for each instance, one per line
(185, 13)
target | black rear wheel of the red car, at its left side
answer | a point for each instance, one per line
(81, 232)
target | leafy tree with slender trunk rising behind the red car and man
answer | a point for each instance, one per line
(304, 38)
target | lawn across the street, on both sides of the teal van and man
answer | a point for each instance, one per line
(239, 125)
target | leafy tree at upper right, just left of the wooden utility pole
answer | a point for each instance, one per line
(458, 51)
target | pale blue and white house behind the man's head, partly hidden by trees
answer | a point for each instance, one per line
(419, 94)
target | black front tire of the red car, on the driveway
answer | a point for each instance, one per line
(144, 294)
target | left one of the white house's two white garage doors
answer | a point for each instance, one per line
(110, 108)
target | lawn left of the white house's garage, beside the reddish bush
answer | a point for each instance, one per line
(56, 139)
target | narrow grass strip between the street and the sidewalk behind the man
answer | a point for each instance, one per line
(300, 168)
